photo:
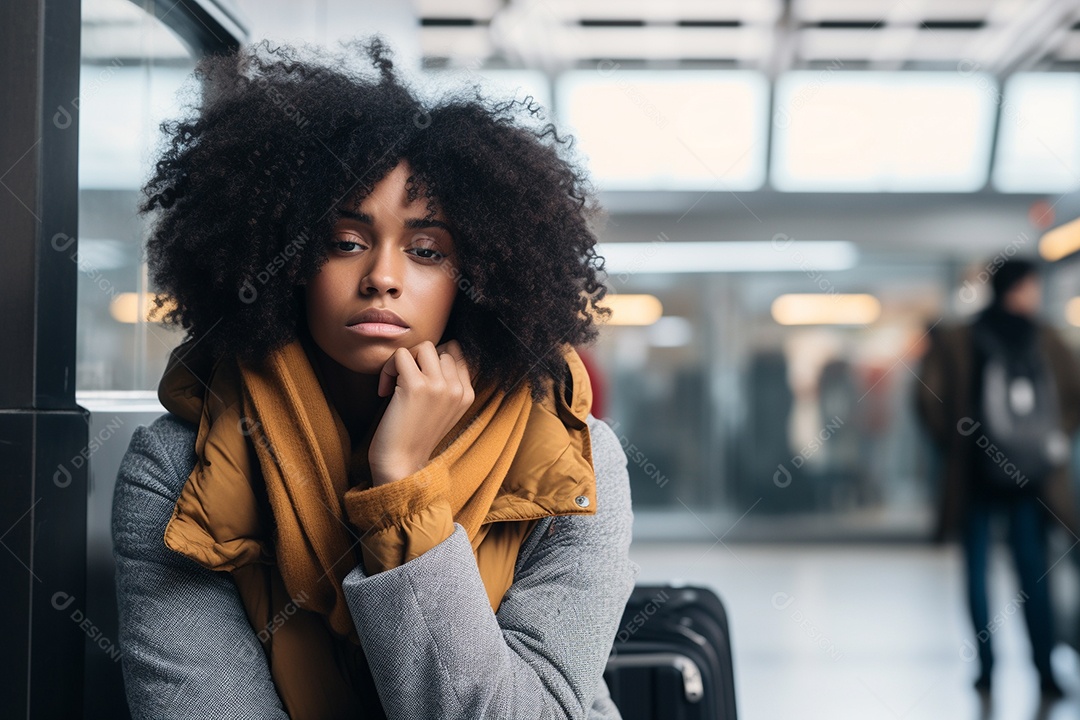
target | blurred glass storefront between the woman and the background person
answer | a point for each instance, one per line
(730, 406)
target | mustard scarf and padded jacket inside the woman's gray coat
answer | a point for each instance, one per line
(507, 460)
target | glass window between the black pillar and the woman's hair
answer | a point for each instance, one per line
(133, 73)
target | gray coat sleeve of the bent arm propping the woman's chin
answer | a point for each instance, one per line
(437, 650)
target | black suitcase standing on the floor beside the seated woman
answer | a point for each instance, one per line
(672, 657)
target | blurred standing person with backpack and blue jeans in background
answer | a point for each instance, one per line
(1001, 399)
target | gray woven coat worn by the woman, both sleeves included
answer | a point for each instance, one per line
(435, 647)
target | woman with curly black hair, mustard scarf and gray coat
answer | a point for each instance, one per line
(380, 491)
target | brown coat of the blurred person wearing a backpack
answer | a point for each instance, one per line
(944, 399)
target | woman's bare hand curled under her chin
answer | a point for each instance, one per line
(431, 390)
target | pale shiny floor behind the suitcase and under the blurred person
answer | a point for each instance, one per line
(862, 633)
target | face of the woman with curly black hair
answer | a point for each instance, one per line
(385, 255)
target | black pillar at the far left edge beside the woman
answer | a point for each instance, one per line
(44, 433)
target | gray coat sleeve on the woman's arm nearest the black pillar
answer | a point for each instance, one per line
(188, 650)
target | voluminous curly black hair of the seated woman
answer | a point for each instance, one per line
(246, 195)
